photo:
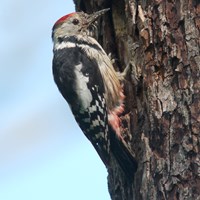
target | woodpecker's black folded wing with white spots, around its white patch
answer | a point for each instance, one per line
(93, 118)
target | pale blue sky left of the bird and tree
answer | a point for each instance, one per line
(43, 153)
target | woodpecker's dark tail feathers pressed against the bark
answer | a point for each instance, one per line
(123, 155)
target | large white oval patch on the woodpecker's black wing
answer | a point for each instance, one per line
(83, 92)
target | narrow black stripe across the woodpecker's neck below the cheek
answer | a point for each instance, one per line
(77, 41)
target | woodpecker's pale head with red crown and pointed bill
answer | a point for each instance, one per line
(75, 24)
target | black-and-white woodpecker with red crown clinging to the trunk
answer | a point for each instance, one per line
(85, 77)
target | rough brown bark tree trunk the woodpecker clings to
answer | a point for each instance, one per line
(160, 40)
